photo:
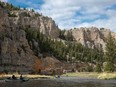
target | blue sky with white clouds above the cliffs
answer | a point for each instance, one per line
(75, 13)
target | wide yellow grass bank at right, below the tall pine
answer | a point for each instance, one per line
(103, 75)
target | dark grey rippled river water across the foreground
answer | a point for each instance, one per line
(61, 82)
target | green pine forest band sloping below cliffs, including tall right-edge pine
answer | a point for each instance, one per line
(73, 52)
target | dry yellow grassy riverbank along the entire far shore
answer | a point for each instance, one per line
(91, 75)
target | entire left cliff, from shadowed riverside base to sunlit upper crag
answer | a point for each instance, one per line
(15, 52)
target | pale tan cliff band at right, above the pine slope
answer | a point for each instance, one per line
(90, 37)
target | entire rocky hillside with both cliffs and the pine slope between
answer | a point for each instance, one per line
(31, 42)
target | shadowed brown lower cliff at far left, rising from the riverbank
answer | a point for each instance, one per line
(15, 53)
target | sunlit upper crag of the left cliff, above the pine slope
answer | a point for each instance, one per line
(30, 19)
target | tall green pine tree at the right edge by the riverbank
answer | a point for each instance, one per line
(110, 53)
